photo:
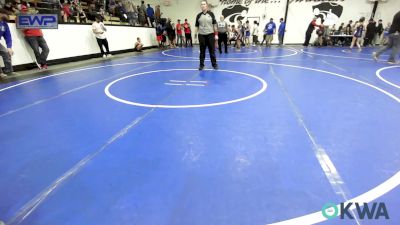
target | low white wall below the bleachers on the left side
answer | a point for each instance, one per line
(71, 40)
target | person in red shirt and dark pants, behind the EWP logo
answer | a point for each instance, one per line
(35, 39)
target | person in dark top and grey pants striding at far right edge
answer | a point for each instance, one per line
(393, 41)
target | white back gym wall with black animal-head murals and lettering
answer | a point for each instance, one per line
(300, 12)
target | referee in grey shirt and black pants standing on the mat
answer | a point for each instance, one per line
(206, 30)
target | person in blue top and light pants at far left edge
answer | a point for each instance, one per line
(5, 53)
